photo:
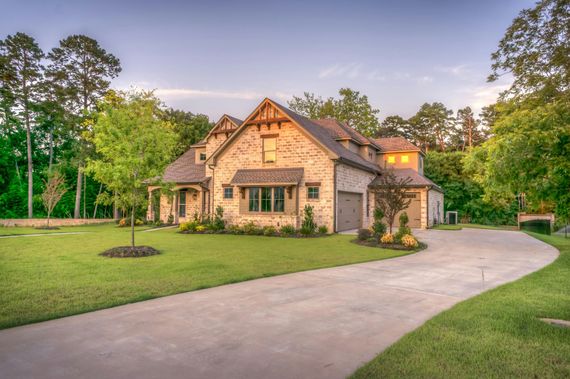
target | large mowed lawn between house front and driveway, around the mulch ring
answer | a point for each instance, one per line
(53, 276)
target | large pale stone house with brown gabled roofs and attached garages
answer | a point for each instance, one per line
(267, 167)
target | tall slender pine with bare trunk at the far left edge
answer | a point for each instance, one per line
(21, 73)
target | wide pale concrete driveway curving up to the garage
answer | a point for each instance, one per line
(314, 324)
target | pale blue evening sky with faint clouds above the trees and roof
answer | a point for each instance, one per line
(225, 56)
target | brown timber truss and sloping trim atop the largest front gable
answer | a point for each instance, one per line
(270, 114)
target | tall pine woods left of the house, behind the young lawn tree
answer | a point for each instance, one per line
(48, 101)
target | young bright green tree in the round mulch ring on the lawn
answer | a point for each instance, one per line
(134, 147)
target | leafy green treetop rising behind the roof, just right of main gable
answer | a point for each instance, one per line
(352, 108)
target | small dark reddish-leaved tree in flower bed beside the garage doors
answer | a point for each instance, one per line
(390, 193)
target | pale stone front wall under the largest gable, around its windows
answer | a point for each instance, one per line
(294, 149)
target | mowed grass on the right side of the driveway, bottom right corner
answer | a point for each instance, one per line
(497, 334)
